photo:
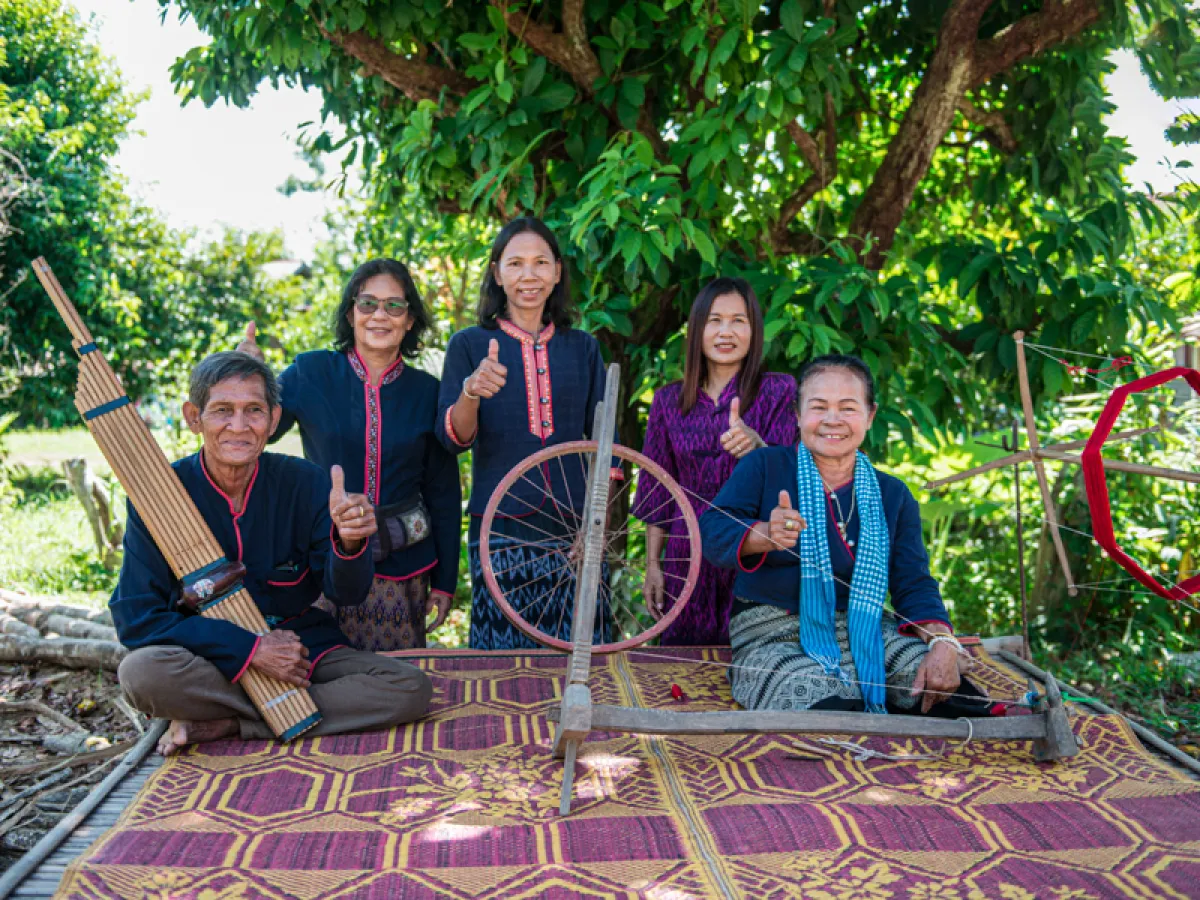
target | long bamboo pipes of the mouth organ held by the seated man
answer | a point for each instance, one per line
(170, 515)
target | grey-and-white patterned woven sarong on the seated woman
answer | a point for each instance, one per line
(772, 673)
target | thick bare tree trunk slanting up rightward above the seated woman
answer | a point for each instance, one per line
(925, 125)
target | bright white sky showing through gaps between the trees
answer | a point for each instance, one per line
(206, 167)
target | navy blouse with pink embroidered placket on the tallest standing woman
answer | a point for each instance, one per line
(555, 381)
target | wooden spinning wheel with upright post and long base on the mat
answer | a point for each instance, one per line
(580, 548)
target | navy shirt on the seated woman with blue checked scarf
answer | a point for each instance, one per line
(775, 578)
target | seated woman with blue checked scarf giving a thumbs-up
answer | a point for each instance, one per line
(820, 539)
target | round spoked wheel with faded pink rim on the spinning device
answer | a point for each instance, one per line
(532, 541)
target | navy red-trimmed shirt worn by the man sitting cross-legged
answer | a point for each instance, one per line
(284, 537)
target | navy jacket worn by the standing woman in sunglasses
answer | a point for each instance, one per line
(383, 439)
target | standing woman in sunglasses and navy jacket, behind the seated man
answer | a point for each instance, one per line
(362, 407)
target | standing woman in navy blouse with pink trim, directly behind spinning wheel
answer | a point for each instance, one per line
(519, 381)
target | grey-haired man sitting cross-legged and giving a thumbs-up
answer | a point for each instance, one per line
(299, 536)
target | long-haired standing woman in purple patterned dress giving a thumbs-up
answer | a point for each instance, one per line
(699, 429)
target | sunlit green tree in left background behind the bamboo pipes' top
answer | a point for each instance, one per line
(155, 298)
